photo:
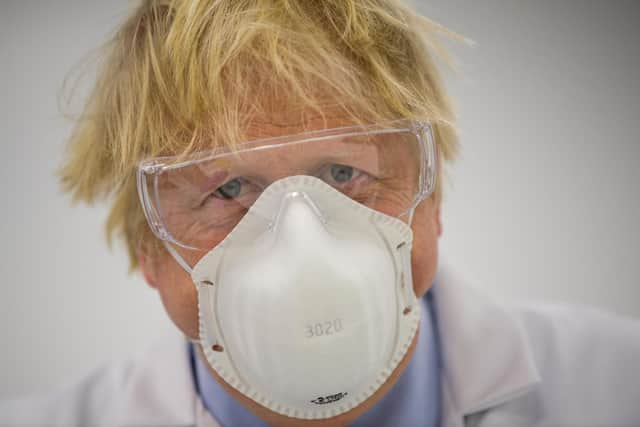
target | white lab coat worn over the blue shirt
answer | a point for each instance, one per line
(503, 365)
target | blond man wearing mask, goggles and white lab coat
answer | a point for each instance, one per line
(275, 172)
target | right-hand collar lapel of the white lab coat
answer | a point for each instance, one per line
(486, 359)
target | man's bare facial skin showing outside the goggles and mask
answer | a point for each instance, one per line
(179, 295)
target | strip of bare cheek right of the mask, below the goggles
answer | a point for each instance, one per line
(424, 256)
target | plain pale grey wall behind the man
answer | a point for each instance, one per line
(544, 202)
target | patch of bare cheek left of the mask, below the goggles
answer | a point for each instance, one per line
(179, 296)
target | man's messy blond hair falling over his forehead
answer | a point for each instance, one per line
(181, 75)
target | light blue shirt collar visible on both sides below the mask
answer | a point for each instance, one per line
(413, 401)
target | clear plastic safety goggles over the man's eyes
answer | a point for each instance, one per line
(195, 201)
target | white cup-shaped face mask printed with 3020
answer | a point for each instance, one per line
(307, 306)
